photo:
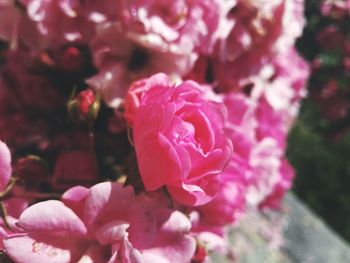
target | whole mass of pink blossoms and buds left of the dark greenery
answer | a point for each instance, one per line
(137, 131)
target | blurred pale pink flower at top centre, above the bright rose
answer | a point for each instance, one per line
(181, 25)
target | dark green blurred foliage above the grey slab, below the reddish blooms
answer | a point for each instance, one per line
(322, 167)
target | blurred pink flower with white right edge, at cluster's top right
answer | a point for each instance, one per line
(259, 30)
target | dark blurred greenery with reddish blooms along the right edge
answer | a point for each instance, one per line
(319, 144)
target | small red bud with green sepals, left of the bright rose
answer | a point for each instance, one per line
(84, 107)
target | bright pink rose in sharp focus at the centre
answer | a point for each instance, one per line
(179, 138)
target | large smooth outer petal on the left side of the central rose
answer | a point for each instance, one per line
(158, 161)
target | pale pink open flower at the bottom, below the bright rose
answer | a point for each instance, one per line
(106, 223)
